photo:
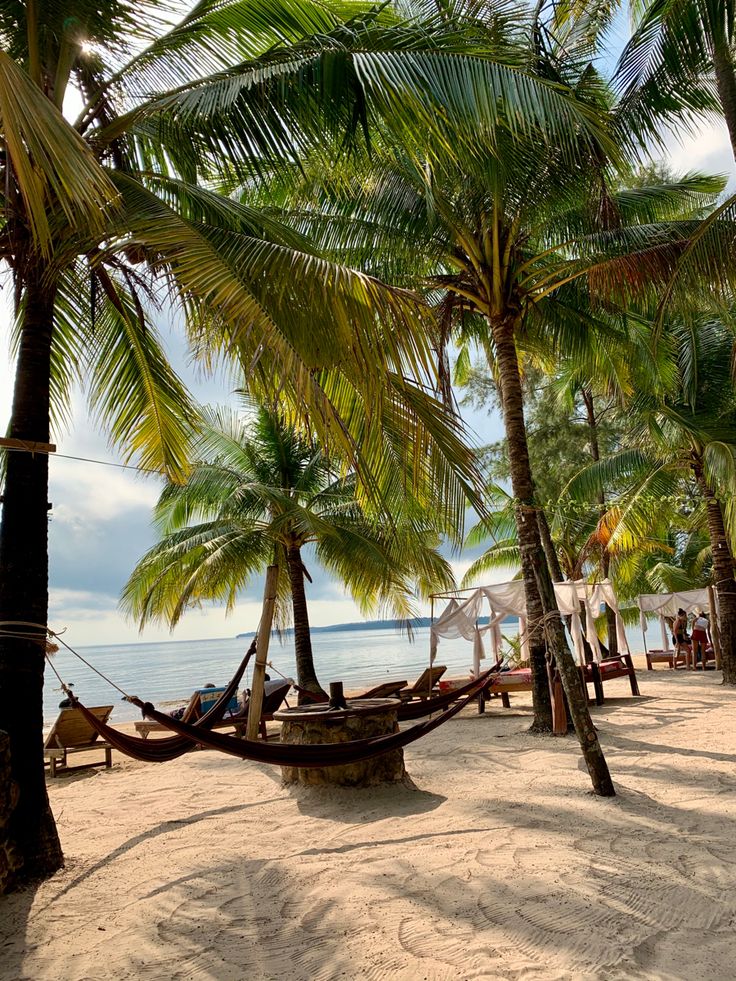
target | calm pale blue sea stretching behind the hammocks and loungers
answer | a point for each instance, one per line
(166, 674)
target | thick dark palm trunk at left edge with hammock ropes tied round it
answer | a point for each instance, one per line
(31, 830)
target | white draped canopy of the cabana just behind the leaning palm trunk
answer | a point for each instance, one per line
(500, 600)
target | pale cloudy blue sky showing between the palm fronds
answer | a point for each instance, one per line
(100, 523)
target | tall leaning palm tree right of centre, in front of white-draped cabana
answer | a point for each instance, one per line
(513, 246)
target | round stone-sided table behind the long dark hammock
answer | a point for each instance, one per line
(361, 719)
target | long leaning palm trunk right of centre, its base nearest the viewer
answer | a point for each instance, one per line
(507, 362)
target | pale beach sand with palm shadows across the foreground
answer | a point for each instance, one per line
(501, 864)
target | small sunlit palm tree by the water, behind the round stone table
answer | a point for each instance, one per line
(261, 493)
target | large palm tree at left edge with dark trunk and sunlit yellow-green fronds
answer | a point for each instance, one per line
(117, 209)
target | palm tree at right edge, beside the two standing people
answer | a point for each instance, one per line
(682, 452)
